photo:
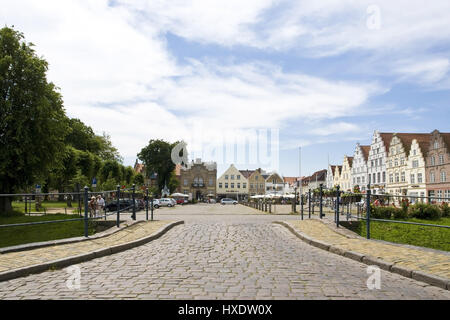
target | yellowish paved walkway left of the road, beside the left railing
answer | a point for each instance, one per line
(14, 260)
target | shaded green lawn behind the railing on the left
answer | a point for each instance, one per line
(11, 236)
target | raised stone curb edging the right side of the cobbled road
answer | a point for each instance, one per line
(387, 266)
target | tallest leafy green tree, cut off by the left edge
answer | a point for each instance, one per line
(32, 117)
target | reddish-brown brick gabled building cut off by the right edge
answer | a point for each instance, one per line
(438, 166)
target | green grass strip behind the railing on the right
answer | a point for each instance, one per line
(430, 237)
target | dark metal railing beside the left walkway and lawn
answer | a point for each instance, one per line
(116, 202)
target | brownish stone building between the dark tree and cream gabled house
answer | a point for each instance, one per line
(198, 179)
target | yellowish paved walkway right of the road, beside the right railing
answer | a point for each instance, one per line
(428, 261)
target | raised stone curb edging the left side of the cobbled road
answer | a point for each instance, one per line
(64, 262)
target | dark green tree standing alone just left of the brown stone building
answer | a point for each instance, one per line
(156, 157)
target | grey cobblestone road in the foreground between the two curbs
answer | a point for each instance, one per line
(237, 257)
